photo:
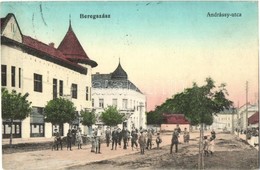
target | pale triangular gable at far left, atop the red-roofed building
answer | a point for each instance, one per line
(10, 28)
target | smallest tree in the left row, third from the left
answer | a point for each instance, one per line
(88, 118)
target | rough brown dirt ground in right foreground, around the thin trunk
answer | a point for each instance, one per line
(229, 154)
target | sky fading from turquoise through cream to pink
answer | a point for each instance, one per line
(163, 46)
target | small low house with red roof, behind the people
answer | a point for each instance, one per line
(172, 120)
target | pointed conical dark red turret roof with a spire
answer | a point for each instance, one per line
(71, 47)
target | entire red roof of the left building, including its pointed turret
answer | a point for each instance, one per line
(69, 48)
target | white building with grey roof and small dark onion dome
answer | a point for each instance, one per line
(115, 89)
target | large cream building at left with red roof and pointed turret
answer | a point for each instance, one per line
(45, 72)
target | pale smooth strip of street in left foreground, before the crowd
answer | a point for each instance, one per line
(48, 159)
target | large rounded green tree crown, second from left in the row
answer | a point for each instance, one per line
(59, 111)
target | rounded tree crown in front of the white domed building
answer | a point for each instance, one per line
(111, 116)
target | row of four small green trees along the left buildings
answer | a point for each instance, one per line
(58, 111)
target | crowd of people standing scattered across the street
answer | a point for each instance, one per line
(141, 138)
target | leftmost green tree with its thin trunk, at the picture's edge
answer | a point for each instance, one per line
(15, 106)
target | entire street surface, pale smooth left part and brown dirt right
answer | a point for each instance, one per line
(229, 154)
